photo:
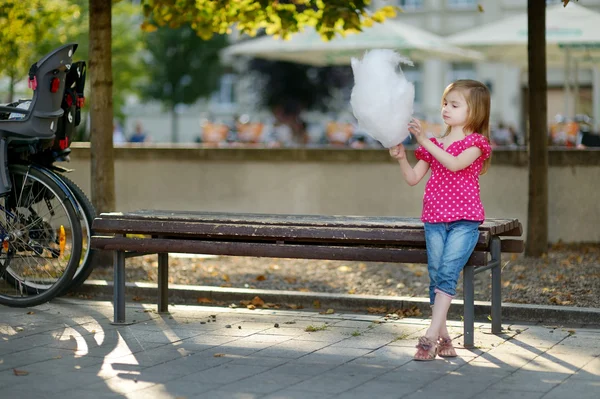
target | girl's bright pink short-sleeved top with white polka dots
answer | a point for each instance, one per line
(451, 196)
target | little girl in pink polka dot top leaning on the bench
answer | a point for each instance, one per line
(452, 209)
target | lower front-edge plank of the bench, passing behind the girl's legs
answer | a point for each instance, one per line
(330, 252)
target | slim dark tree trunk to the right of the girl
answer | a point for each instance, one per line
(537, 212)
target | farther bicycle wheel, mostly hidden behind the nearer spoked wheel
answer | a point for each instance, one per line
(88, 214)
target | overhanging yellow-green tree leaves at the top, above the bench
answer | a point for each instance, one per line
(278, 18)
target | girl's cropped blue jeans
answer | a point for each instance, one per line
(449, 246)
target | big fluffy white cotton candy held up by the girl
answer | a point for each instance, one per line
(382, 99)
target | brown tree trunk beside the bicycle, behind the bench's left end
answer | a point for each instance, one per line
(101, 110)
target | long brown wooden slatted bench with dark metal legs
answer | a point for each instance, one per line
(350, 238)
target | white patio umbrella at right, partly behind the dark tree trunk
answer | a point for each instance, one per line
(571, 31)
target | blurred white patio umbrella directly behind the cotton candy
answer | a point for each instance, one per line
(308, 48)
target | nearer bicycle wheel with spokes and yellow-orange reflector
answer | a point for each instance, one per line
(41, 239)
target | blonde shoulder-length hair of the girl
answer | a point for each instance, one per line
(477, 96)
